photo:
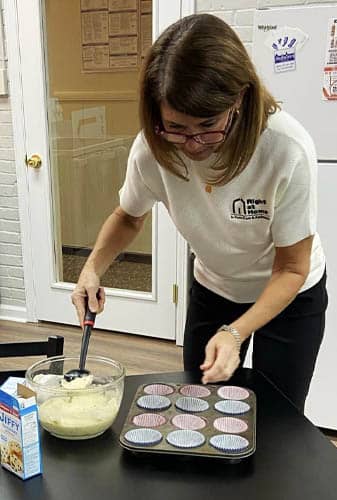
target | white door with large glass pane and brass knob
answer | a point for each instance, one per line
(79, 66)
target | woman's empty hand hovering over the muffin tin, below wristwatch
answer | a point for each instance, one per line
(222, 358)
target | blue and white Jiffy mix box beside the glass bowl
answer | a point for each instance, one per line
(19, 429)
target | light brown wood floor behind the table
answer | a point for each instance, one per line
(138, 354)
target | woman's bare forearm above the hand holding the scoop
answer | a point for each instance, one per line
(118, 231)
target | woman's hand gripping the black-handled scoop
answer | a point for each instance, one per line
(88, 288)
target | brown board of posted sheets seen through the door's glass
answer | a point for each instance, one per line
(115, 34)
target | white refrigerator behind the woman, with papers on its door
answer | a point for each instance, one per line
(295, 54)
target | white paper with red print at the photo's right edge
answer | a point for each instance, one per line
(330, 63)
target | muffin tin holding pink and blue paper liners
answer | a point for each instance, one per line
(192, 419)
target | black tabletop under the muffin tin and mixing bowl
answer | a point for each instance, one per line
(293, 459)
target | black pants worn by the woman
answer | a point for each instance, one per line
(285, 349)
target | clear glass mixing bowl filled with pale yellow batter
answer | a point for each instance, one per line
(81, 409)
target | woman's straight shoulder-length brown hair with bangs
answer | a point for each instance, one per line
(200, 68)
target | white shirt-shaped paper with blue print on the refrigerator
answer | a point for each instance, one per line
(285, 43)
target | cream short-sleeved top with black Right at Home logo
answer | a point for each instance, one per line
(234, 229)
